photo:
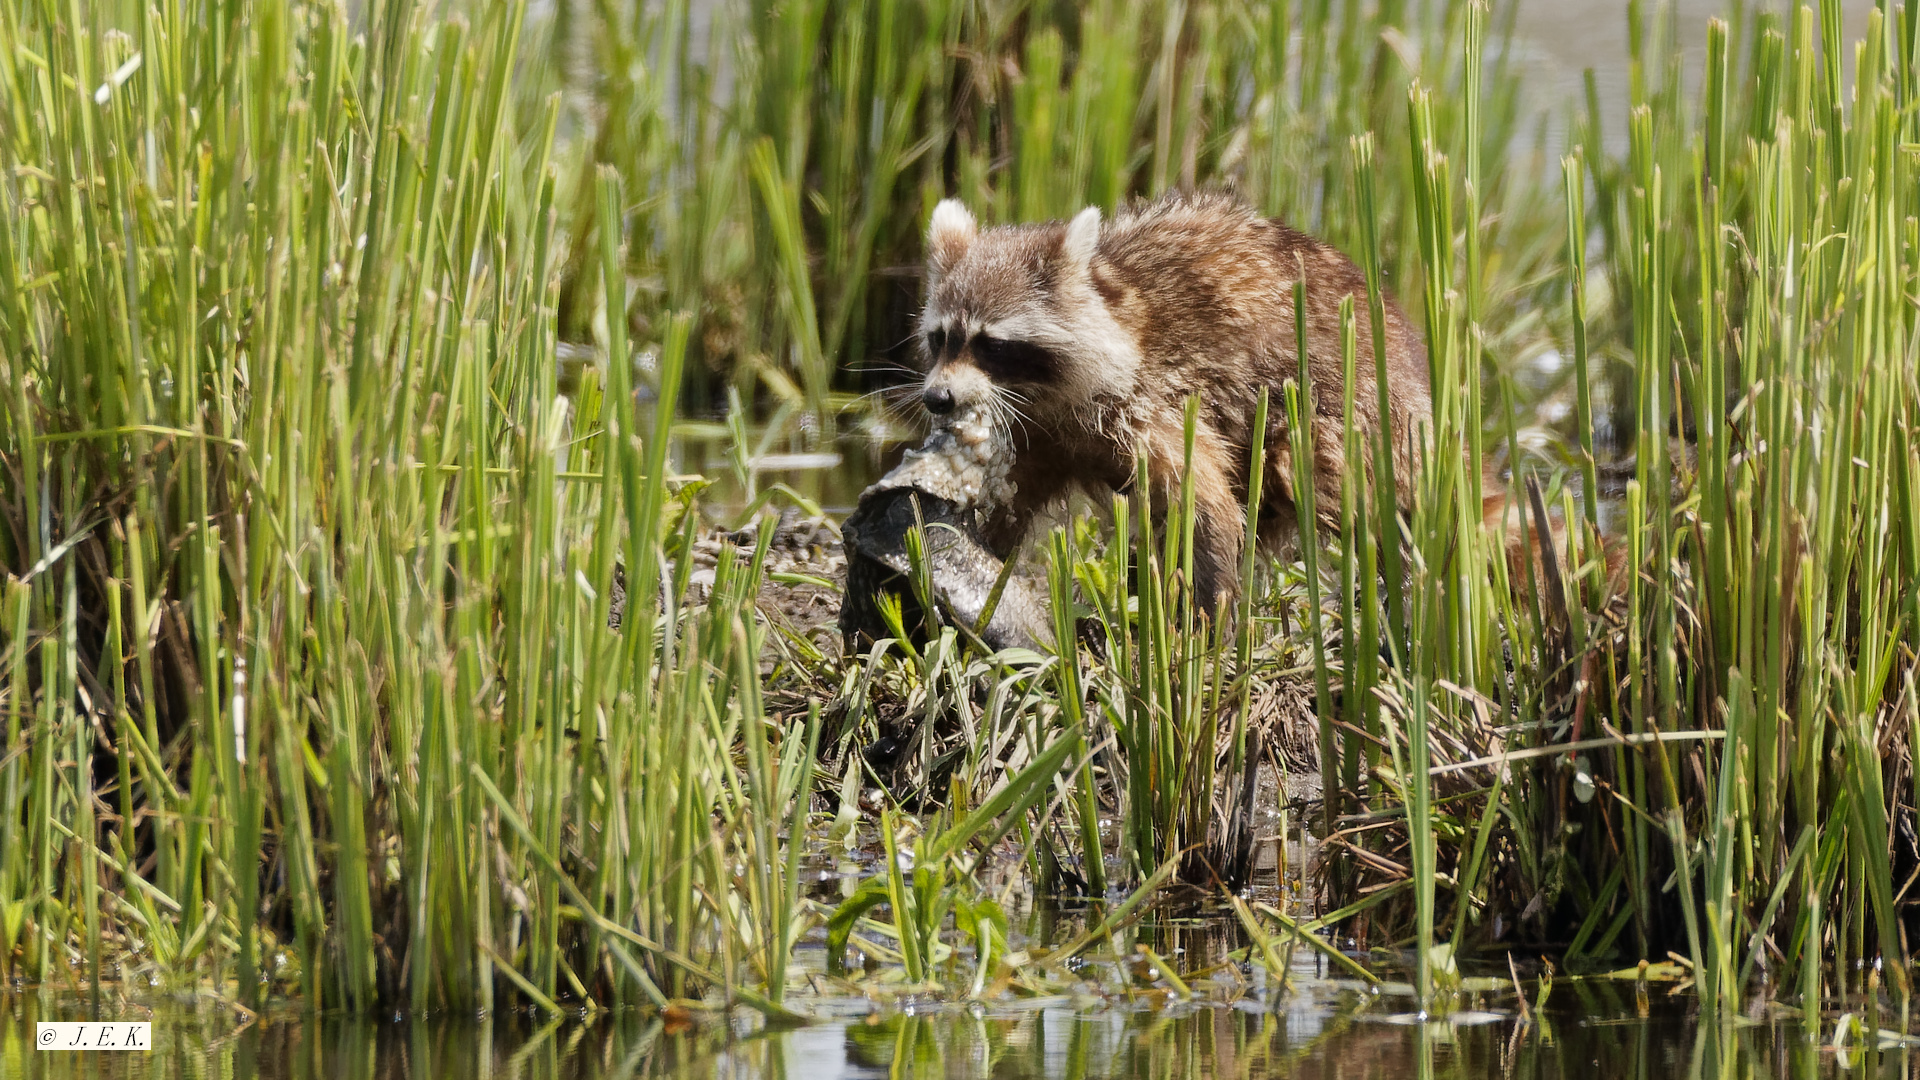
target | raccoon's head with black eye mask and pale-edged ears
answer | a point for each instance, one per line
(1015, 320)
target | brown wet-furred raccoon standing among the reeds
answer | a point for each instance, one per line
(1088, 337)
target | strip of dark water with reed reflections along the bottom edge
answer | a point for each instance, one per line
(1324, 1033)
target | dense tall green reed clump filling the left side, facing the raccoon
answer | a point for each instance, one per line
(310, 670)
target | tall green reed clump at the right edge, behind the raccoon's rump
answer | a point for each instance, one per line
(1750, 674)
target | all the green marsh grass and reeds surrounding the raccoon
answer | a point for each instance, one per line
(316, 537)
